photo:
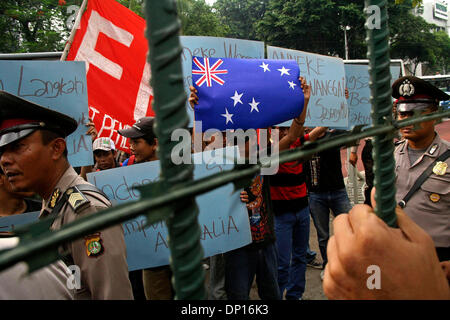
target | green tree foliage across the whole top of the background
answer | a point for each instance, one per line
(309, 25)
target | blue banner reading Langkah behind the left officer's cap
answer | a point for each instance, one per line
(59, 86)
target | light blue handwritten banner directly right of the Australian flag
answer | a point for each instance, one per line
(326, 76)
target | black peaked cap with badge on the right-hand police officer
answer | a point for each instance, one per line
(415, 93)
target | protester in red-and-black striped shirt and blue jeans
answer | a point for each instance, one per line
(290, 203)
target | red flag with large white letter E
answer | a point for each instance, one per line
(111, 41)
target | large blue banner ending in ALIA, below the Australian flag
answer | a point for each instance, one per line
(223, 217)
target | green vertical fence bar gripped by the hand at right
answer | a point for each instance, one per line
(380, 76)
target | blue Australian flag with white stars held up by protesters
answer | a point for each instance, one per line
(246, 93)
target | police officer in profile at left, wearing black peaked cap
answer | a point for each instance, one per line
(33, 156)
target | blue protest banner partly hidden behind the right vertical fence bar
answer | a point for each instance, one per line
(357, 79)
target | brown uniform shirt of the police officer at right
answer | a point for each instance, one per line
(429, 207)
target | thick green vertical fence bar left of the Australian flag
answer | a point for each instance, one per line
(169, 105)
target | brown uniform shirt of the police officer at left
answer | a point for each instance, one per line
(104, 275)
